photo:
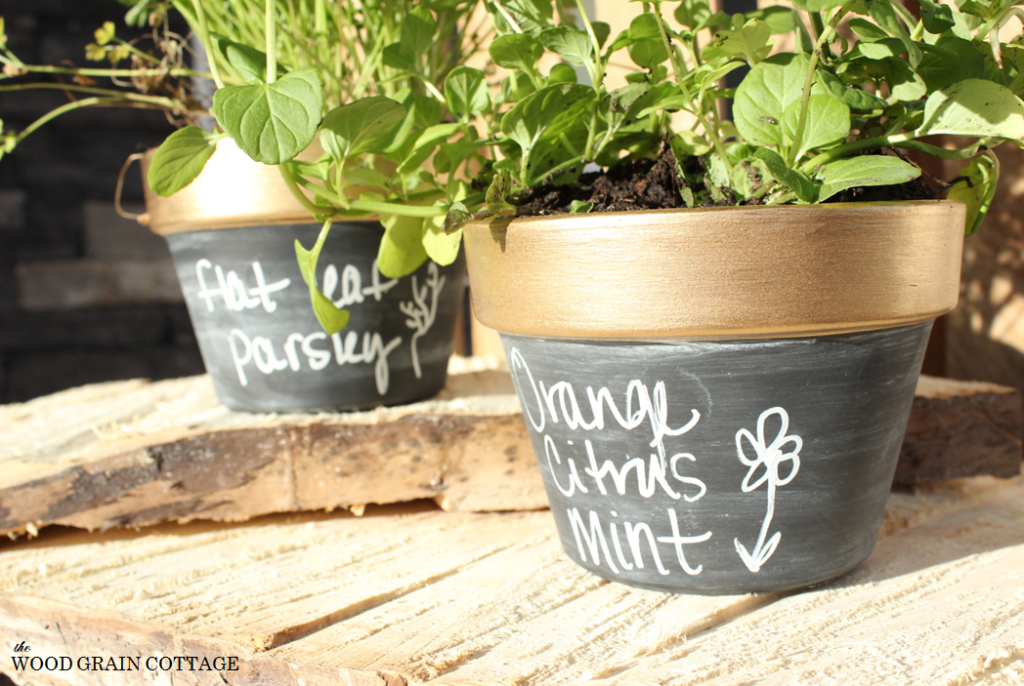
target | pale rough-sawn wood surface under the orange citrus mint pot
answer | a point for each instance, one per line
(466, 599)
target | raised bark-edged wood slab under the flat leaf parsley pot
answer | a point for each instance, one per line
(138, 453)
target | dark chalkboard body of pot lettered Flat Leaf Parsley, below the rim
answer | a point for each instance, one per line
(262, 342)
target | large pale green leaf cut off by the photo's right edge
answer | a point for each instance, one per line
(974, 108)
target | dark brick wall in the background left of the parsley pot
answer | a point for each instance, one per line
(51, 189)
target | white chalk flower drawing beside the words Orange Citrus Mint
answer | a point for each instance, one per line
(771, 457)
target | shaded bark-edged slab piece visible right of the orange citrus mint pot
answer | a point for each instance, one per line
(960, 430)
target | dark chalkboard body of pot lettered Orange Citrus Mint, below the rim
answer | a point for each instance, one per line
(719, 467)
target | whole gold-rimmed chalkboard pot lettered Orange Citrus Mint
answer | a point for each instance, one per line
(717, 398)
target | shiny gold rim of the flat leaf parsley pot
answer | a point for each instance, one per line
(232, 191)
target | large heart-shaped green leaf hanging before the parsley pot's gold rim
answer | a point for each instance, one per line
(273, 123)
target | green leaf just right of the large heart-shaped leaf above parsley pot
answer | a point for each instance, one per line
(360, 127)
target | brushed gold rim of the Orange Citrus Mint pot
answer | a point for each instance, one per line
(718, 273)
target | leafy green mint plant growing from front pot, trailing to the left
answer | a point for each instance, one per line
(808, 125)
